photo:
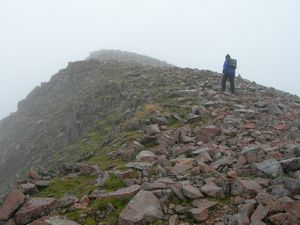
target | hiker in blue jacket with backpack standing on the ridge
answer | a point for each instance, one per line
(229, 73)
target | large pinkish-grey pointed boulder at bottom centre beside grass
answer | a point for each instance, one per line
(144, 208)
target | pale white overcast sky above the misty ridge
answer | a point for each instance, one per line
(39, 37)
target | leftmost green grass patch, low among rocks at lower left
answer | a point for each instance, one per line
(60, 187)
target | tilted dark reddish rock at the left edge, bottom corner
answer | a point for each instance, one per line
(13, 201)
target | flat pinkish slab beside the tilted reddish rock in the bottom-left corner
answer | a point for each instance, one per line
(35, 208)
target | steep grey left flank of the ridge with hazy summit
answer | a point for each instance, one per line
(59, 112)
